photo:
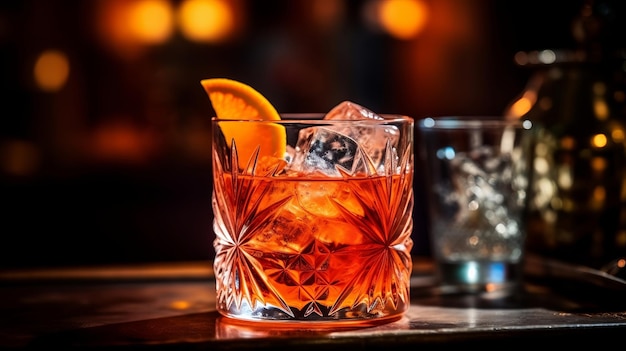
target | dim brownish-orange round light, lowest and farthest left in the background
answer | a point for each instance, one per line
(51, 70)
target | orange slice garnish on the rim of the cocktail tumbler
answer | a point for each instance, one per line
(234, 100)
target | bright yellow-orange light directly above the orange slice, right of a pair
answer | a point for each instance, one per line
(206, 20)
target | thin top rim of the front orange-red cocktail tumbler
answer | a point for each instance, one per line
(317, 118)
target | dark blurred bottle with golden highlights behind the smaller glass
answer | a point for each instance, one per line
(576, 100)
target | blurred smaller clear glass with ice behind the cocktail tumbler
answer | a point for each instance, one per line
(477, 178)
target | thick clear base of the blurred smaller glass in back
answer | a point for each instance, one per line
(479, 277)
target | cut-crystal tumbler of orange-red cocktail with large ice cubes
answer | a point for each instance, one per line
(320, 234)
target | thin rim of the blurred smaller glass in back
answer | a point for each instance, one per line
(471, 122)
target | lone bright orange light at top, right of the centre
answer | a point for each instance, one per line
(402, 19)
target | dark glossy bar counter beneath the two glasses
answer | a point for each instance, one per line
(171, 306)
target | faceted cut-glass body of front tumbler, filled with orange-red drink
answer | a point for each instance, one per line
(295, 247)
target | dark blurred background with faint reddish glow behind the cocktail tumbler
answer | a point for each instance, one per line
(114, 167)
